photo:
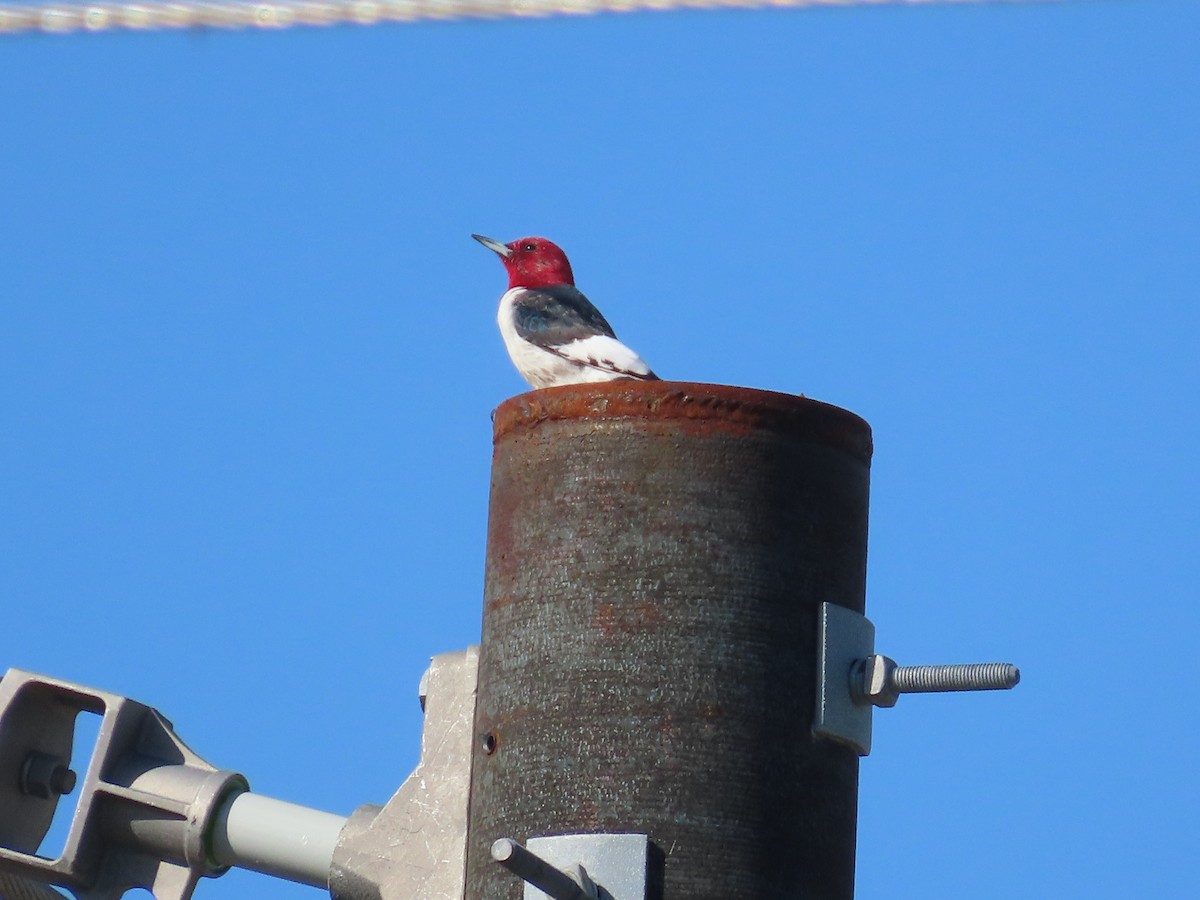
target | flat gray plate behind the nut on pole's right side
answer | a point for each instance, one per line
(845, 638)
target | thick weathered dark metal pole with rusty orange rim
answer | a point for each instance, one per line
(657, 557)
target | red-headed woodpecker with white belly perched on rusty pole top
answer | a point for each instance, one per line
(551, 331)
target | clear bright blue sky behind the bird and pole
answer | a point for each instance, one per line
(250, 356)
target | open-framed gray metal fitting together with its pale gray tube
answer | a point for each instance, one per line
(152, 814)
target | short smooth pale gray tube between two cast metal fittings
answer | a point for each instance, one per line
(277, 838)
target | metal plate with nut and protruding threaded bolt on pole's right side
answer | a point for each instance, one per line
(853, 679)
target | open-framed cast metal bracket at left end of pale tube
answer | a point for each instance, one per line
(146, 806)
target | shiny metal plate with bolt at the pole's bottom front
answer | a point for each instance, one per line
(579, 867)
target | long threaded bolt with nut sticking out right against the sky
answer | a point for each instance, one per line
(879, 681)
